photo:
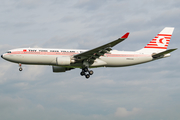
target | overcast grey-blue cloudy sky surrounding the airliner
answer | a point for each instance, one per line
(149, 91)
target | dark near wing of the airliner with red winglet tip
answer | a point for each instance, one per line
(92, 54)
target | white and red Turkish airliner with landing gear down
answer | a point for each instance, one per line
(63, 60)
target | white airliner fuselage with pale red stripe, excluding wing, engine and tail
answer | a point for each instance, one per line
(42, 56)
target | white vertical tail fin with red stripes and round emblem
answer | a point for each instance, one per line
(160, 42)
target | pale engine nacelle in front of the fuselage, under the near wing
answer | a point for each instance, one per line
(64, 60)
